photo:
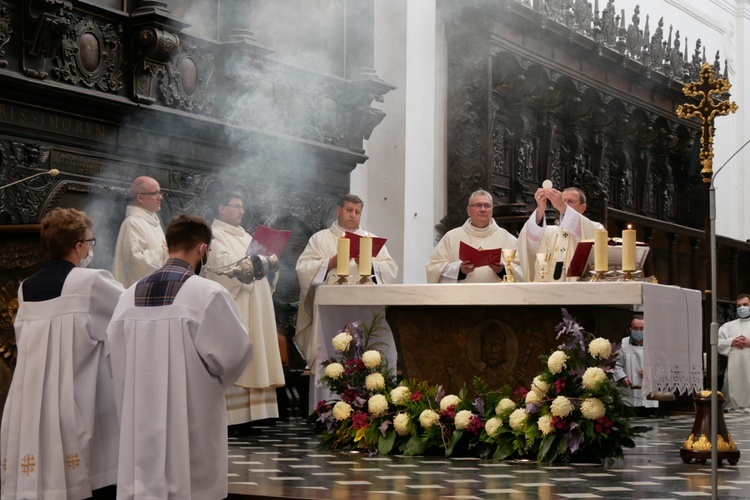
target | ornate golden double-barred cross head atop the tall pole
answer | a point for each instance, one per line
(708, 91)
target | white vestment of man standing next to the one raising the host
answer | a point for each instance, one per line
(443, 265)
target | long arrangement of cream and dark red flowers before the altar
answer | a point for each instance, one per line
(572, 410)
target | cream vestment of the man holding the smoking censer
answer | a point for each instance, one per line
(253, 395)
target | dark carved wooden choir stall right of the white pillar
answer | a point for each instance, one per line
(564, 91)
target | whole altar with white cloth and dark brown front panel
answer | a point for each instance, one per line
(449, 333)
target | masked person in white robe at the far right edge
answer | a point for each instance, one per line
(734, 343)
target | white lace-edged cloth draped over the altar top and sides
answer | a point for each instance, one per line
(672, 318)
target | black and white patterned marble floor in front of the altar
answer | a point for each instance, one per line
(283, 462)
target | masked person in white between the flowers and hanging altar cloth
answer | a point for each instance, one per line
(628, 373)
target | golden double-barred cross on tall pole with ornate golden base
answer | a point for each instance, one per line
(712, 93)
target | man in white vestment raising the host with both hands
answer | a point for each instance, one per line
(557, 242)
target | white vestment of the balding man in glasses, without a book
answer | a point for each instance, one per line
(141, 246)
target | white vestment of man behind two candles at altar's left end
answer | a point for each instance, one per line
(312, 271)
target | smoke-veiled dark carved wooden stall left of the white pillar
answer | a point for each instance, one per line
(108, 90)
